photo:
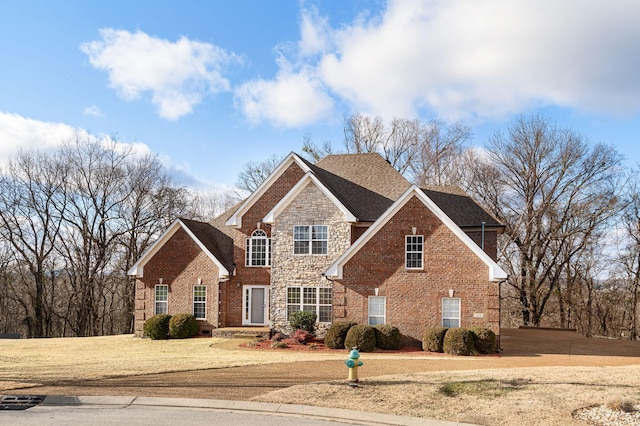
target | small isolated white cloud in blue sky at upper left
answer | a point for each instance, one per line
(177, 74)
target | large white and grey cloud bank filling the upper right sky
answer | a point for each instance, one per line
(462, 60)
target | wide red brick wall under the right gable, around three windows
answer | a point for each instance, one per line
(414, 298)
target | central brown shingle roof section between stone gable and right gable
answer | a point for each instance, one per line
(365, 183)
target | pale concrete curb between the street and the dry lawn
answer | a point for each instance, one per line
(337, 414)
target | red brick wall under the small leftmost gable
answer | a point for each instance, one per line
(180, 263)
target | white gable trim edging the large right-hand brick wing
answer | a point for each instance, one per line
(335, 270)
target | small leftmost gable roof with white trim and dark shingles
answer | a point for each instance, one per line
(205, 236)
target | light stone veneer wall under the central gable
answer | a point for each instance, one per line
(311, 207)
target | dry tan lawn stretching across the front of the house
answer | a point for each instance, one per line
(541, 377)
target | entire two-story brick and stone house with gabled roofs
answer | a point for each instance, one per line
(348, 238)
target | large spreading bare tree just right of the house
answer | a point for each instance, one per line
(553, 191)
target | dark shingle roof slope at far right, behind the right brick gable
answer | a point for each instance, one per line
(460, 207)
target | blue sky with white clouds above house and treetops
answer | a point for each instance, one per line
(211, 85)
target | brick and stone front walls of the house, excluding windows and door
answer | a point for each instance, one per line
(413, 297)
